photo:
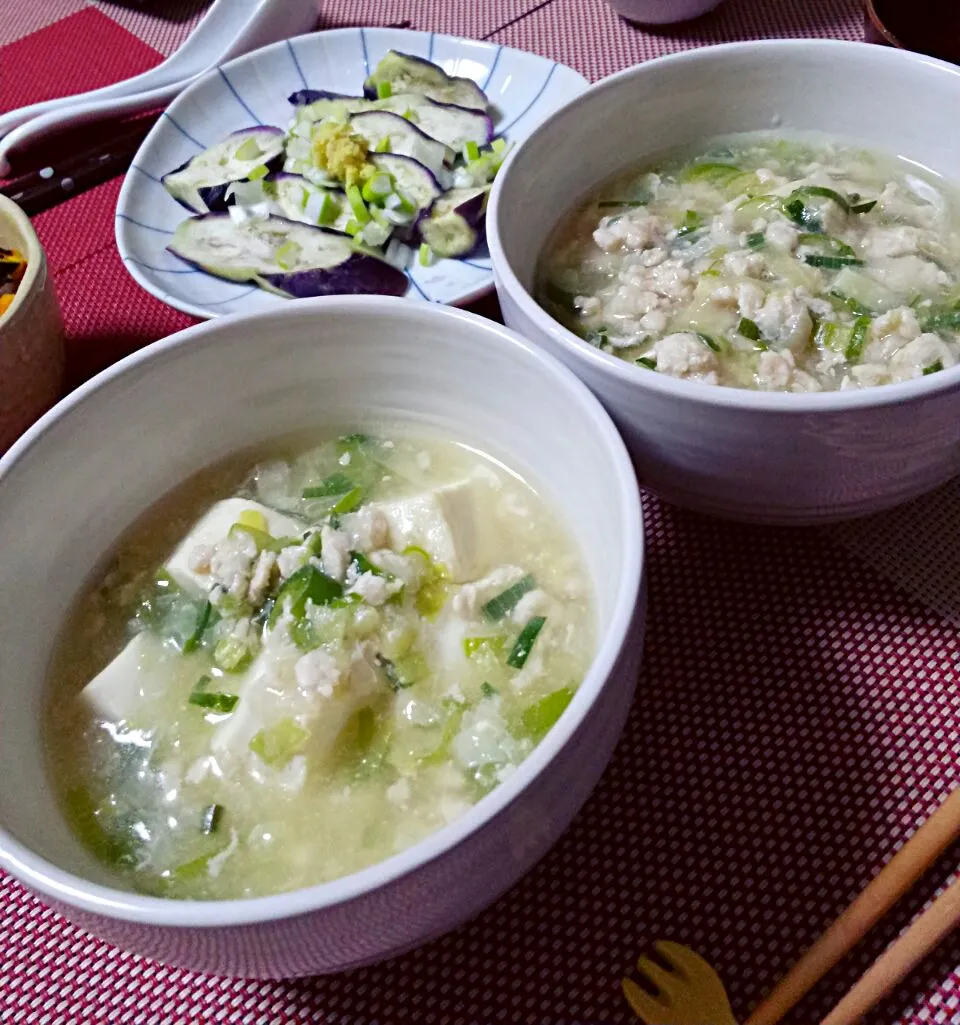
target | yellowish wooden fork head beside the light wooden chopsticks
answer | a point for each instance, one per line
(688, 991)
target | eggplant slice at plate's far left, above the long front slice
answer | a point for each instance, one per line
(201, 185)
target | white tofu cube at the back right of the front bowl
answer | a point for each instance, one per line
(454, 524)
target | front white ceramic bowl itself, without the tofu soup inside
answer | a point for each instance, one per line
(93, 465)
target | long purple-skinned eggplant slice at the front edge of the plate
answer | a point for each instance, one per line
(284, 257)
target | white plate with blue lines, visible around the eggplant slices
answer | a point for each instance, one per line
(523, 89)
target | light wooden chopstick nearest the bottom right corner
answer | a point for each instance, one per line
(900, 959)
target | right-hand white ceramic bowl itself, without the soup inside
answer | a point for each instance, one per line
(748, 456)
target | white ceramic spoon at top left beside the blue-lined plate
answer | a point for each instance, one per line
(229, 29)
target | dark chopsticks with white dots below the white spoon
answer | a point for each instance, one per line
(41, 189)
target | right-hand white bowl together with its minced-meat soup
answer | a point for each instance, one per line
(759, 277)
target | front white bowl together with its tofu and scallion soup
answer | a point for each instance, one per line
(329, 663)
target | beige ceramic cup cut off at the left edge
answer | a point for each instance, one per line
(31, 334)
